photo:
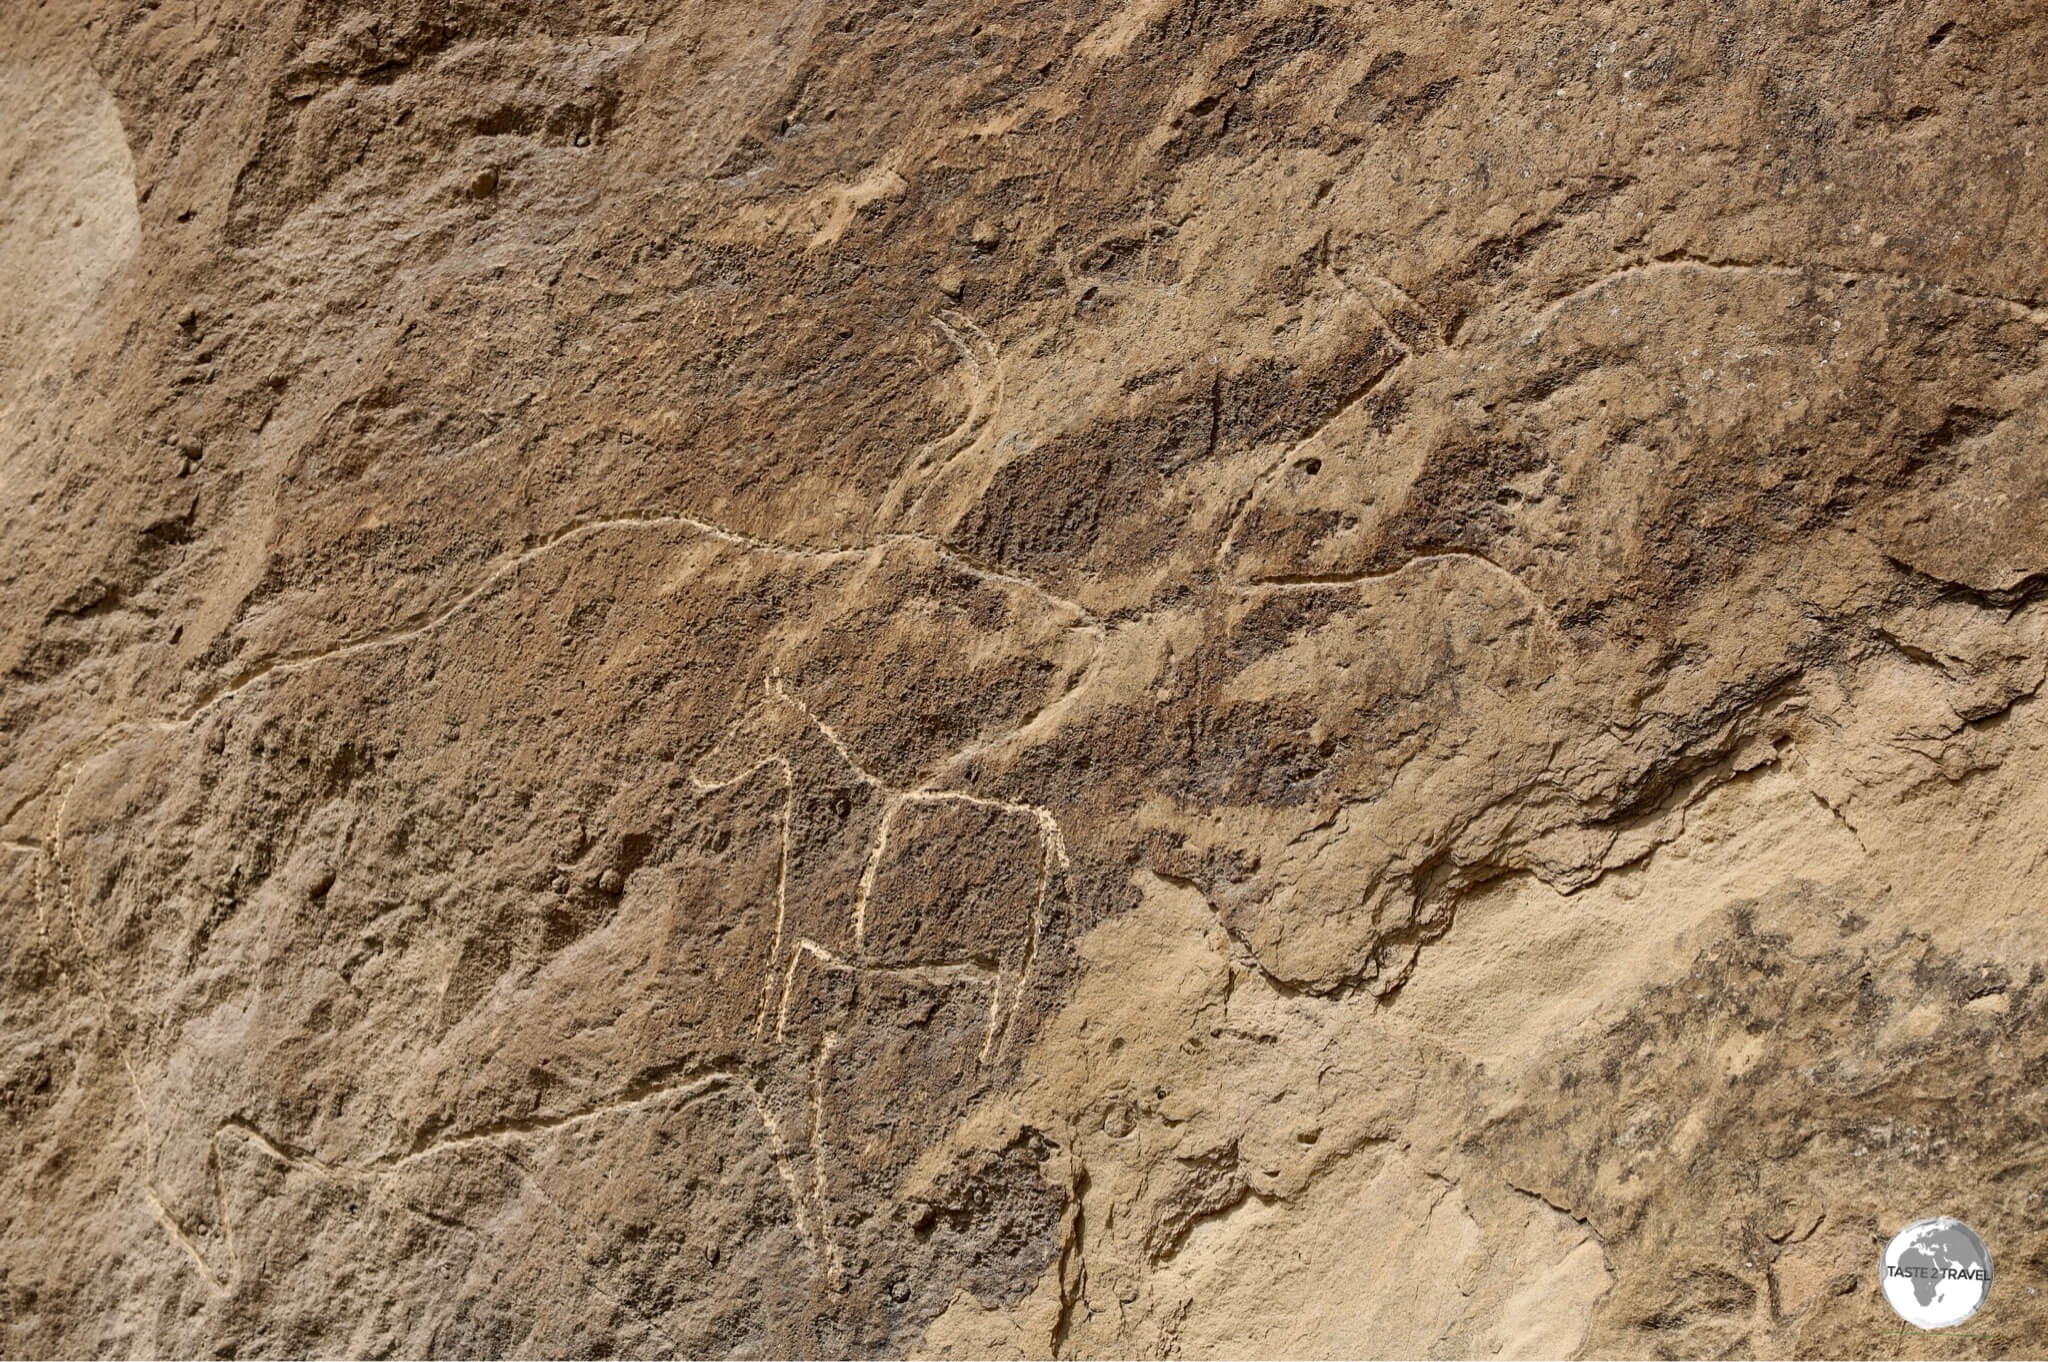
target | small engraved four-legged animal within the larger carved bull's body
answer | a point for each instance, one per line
(929, 884)
